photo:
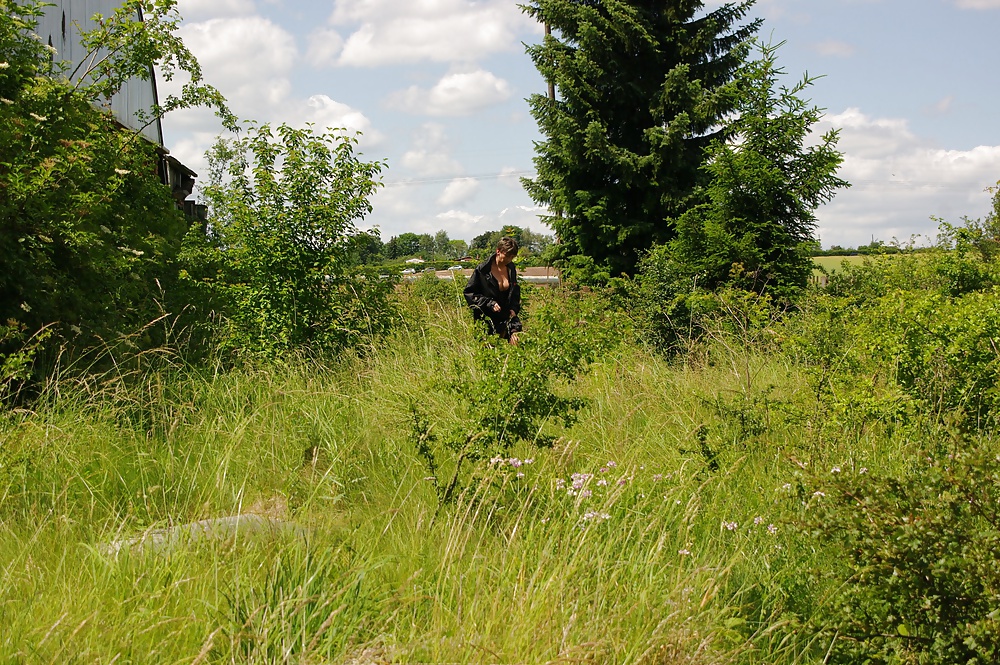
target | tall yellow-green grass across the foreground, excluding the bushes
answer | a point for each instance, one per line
(672, 560)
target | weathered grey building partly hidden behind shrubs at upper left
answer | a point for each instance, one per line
(58, 28)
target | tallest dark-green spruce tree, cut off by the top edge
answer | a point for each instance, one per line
(643, 88)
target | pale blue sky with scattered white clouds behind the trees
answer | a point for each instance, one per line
(438, 89)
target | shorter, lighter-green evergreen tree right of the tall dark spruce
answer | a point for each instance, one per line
(756, 230)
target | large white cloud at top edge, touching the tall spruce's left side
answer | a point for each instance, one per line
(388, 31)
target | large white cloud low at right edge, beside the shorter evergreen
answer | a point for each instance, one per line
(899, 181)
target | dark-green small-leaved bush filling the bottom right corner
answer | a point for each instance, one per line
(915, 575)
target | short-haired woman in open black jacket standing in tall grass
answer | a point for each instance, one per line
(494, 294)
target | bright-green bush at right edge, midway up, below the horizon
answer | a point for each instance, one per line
(914, 333)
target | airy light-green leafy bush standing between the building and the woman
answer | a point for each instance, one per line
(279, 254)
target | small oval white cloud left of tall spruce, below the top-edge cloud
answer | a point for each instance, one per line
(456, 94)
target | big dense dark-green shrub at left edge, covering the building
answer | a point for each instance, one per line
(89, 236)
